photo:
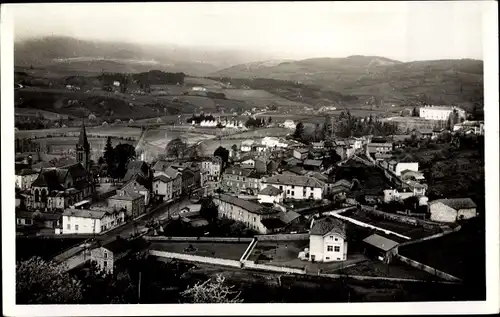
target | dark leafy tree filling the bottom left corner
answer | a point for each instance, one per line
(41, 282)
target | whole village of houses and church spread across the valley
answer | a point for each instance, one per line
(331, 208)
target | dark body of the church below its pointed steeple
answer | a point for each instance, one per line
(57, 188)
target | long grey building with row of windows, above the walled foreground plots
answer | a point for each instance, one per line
(250, 213)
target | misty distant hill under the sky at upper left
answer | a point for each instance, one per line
(67, 53)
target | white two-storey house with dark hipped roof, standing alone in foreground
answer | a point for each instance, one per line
(328, 240)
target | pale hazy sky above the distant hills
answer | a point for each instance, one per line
(403, 31)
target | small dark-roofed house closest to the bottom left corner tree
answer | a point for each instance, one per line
(107, 255)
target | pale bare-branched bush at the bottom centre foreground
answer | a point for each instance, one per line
(212, 291)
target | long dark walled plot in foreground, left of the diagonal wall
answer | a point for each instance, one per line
(231, 251)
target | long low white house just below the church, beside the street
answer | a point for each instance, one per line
(91, 221)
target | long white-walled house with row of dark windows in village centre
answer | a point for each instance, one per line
(297, 187)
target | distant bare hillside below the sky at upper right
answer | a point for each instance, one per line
(440, 81)
